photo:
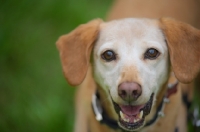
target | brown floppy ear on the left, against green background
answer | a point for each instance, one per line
(75, 49)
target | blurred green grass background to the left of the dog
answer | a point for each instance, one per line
(34, 96)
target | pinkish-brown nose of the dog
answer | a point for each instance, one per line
(129, 91)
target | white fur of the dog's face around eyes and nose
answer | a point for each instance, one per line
(130, 39)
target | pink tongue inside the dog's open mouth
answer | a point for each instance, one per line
(131, 110)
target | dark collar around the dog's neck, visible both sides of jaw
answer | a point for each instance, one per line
(103, 118)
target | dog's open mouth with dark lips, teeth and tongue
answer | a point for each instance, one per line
(132, 117)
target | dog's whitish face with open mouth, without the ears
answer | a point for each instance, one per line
(130, 61)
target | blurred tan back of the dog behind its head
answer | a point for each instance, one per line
(187, 11)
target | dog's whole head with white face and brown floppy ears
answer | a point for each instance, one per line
(131, 60)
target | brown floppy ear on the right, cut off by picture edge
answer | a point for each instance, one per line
(184, 48)
